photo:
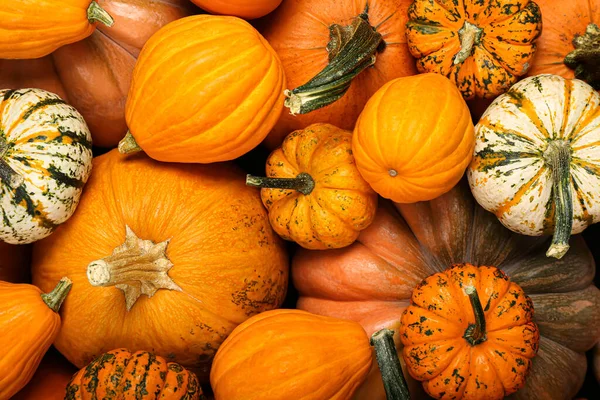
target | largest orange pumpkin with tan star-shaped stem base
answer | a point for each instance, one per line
(164, 257)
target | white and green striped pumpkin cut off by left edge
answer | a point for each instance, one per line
(45, 159)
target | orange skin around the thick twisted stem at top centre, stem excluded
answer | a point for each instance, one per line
(299, 33)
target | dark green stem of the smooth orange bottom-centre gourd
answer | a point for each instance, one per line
(389, 365)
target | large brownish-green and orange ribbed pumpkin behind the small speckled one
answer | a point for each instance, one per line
(372, 281)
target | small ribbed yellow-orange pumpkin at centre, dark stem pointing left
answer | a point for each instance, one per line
(317, 197)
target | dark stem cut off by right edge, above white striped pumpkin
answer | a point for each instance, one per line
(586, 56)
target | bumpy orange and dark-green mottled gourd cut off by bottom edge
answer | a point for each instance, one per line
(121, 374)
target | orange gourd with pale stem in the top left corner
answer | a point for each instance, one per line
(33, 29)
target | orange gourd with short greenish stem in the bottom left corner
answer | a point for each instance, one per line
(29, 323)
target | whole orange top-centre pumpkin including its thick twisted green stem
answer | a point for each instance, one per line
(335, 54)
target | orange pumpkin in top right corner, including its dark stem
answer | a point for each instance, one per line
(570, 47)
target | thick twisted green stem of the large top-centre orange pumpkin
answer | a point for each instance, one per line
(352, 49)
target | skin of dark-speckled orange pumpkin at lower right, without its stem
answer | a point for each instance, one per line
(433, 330)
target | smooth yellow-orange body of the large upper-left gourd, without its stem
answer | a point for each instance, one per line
(230, 99)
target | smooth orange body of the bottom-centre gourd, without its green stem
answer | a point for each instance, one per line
(291, 349)
